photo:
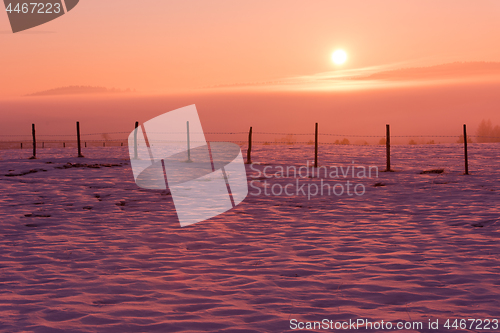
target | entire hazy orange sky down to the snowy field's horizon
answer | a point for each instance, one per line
(169, 50)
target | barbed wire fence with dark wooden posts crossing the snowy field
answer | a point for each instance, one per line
(425, 151)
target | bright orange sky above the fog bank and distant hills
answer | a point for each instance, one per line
(166, 46)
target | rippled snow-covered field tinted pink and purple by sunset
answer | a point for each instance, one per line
(83, 249)
